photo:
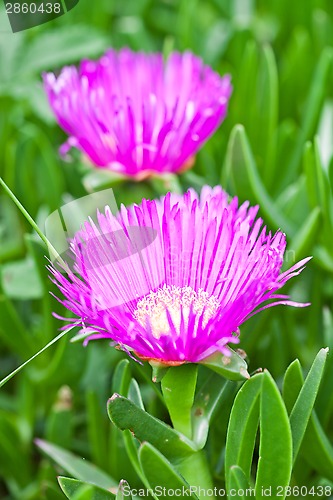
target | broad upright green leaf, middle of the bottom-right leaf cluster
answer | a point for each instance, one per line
(275, 450)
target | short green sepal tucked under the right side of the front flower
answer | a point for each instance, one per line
(232, 367)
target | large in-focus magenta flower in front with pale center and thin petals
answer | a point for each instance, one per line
(174, 279)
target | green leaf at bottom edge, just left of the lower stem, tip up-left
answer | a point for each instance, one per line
(160, 472)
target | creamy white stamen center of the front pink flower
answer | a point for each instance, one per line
(178, 302)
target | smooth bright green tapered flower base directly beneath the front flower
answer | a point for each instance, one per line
(178, 387)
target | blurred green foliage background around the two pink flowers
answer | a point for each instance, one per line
(275, 148)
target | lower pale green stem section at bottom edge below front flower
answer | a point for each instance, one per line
(196, 472)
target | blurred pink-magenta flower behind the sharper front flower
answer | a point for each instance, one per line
(135, 114)
